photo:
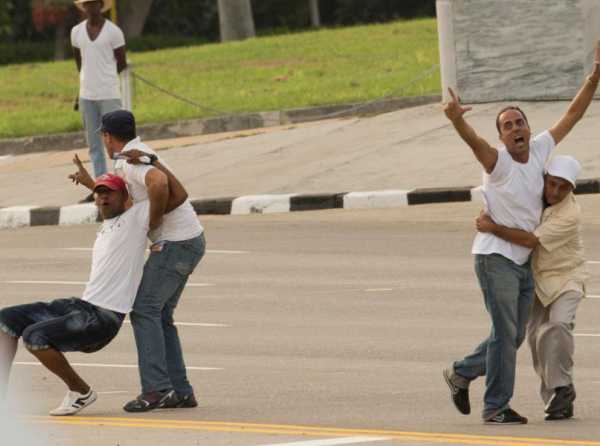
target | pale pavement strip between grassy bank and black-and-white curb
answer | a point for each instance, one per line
(405, 149)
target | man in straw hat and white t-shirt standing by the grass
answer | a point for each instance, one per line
(99, 49)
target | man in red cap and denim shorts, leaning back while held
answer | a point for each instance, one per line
(88, 324)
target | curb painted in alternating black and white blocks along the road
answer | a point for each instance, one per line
(20, 216)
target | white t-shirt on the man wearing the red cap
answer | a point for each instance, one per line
(118, 260)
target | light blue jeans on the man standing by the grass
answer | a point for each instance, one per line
(91, 112)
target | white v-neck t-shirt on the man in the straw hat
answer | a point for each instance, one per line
(98, 79)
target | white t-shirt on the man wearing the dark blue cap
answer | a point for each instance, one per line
(179, 224)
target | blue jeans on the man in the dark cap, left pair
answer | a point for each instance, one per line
(160, 356)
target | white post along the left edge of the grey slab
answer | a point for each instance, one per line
(445, 20)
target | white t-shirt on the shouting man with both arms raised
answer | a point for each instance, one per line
(513, 195)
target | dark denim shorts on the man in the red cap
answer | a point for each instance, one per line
(66, 325)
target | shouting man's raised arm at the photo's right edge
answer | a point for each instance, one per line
(579, 104)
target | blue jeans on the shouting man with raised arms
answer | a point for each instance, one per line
(508, 292)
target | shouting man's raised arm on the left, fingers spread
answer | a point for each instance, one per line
(485, 154)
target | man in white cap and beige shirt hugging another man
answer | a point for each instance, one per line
(559, 271)
